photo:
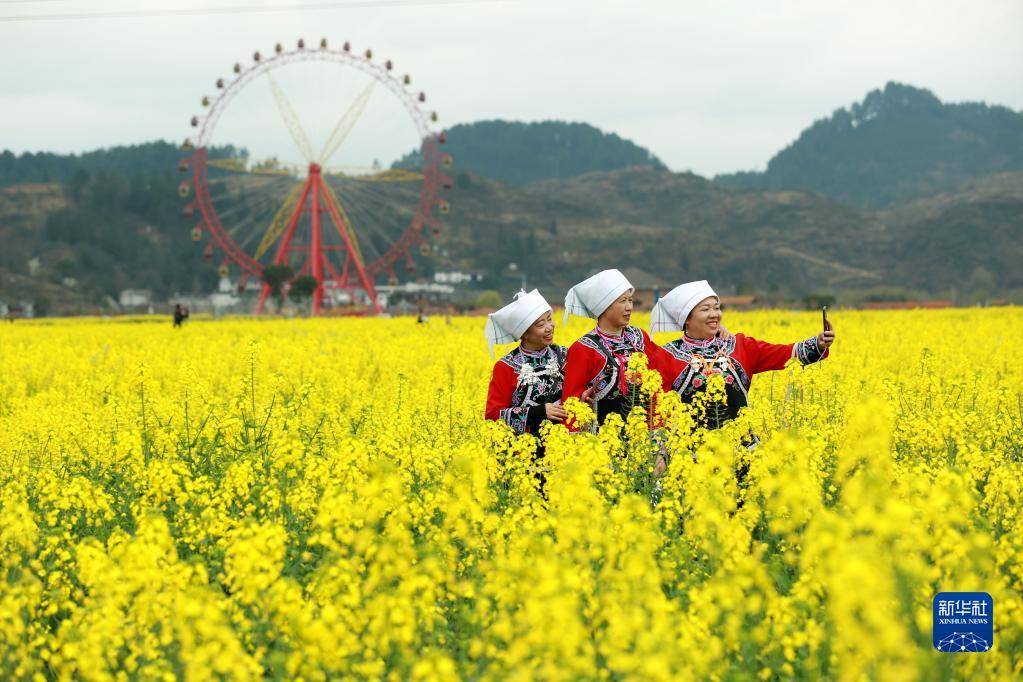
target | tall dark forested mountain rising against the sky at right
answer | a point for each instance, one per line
(899, 145)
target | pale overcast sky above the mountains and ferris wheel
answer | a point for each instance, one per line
(708, 86)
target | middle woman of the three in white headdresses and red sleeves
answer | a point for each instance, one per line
(597, 362)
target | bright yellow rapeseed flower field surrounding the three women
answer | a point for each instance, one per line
(322, 498)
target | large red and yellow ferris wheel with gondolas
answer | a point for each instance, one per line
(264, 196)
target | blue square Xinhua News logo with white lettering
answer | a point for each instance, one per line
(964, 622)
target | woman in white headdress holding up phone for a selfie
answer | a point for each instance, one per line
(695, 310)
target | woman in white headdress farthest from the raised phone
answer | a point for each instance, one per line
(526, 385)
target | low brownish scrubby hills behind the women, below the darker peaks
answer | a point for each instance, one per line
(677, 226)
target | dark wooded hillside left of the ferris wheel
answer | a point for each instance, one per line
(81, 242)
